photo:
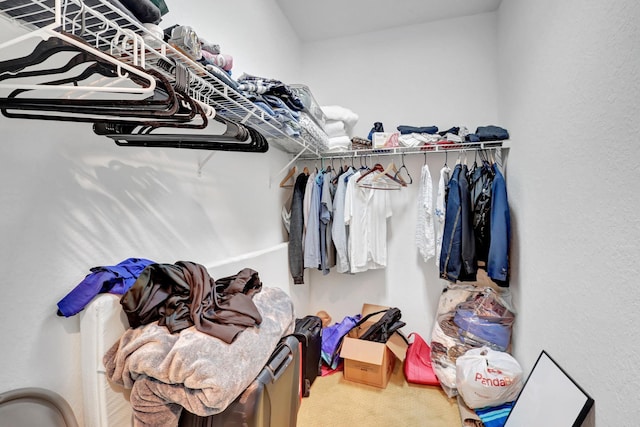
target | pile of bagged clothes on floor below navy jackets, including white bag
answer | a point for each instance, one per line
(471, 322)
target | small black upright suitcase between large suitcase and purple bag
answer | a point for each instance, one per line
(308, 330)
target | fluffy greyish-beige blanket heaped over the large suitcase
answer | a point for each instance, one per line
(191, 369)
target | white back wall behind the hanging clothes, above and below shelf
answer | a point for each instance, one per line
(442, 73)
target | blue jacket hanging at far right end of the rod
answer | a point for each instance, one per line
(498, 258)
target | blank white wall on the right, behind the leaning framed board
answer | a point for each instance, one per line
(568, 79)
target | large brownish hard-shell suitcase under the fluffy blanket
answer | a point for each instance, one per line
(272, 400)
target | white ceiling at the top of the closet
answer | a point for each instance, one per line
(323, 19)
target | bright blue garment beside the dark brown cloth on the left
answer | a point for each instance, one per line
(115, 279)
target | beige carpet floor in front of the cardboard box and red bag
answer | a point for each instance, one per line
(335, 402)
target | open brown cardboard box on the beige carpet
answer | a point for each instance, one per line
(369, 362)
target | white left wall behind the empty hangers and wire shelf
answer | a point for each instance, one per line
(71, 200)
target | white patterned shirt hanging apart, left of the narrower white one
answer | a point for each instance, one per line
(425, 232)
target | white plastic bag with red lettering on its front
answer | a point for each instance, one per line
(487, 377)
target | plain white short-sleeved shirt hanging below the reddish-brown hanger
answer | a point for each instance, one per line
(366, 211)
